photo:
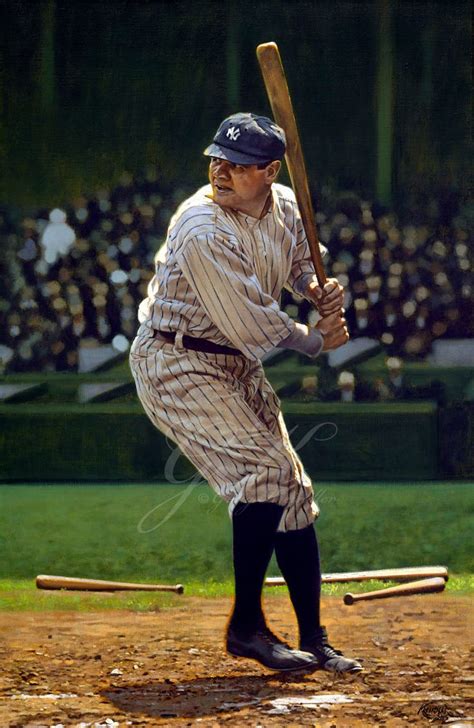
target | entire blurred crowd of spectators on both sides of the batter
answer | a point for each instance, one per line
(406, 283)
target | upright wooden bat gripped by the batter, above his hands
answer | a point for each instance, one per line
(279, 96)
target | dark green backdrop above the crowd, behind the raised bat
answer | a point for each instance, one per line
(89, 88)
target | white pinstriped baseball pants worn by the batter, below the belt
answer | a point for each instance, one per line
(226, 419)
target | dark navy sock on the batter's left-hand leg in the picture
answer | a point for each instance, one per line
(254, 526)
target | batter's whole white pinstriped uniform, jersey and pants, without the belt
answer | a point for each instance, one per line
(221, 279)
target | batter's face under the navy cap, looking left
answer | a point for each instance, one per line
(241, 187)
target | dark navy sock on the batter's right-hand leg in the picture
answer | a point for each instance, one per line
(298, 558)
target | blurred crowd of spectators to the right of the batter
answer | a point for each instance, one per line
(406, 284)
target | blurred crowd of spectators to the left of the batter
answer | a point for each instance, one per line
(83, 293)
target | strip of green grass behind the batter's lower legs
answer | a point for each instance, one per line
(170, 534)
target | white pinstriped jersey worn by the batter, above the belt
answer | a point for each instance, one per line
(224, 272)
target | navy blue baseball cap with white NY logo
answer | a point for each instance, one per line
(248, 139)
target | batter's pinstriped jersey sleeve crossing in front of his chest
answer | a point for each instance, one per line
(228, 290)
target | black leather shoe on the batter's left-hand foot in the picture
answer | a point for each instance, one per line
(266, 648)
